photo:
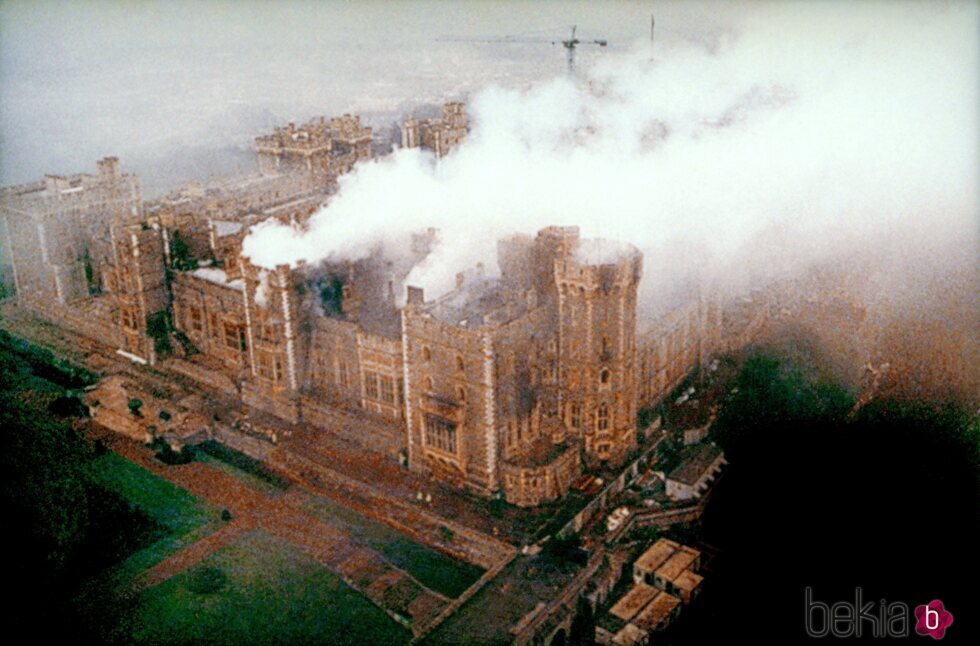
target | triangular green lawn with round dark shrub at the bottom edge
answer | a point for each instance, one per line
(260, 590)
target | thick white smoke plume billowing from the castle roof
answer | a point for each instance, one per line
(805, 129)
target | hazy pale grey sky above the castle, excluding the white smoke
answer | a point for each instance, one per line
(178, 89)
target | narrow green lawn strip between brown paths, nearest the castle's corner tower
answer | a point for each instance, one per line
(431, 568)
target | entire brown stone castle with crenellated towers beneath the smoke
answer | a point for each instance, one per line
(507, 386)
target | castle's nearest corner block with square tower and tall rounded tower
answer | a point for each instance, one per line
(511, 384)
